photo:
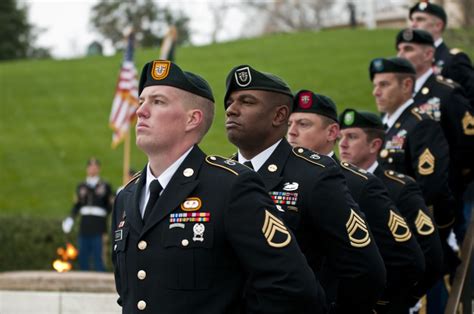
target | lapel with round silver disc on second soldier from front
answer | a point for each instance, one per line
(278, 158)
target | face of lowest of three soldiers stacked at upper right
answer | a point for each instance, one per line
(387, 92)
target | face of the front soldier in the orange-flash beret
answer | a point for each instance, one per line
(161, 118)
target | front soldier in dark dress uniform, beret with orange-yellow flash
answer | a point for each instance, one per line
(191, 231)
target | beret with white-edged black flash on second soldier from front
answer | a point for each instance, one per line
(244, 77)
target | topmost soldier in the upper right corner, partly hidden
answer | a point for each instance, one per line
(451, 63)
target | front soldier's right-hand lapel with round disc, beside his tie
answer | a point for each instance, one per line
(177, 189)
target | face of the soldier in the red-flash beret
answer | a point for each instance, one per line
(309, 130)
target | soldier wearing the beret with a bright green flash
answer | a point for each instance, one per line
(362, 136)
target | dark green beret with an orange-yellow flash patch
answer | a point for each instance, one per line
(163, 72)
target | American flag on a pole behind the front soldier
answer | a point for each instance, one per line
(126, 97)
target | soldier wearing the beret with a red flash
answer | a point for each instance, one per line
(314, 125)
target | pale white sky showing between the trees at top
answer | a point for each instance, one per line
(68, 32)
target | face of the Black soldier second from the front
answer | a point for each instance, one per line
(249, 117)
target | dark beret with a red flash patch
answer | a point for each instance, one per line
(307, 101)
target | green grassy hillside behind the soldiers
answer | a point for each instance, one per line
(54, 114)
